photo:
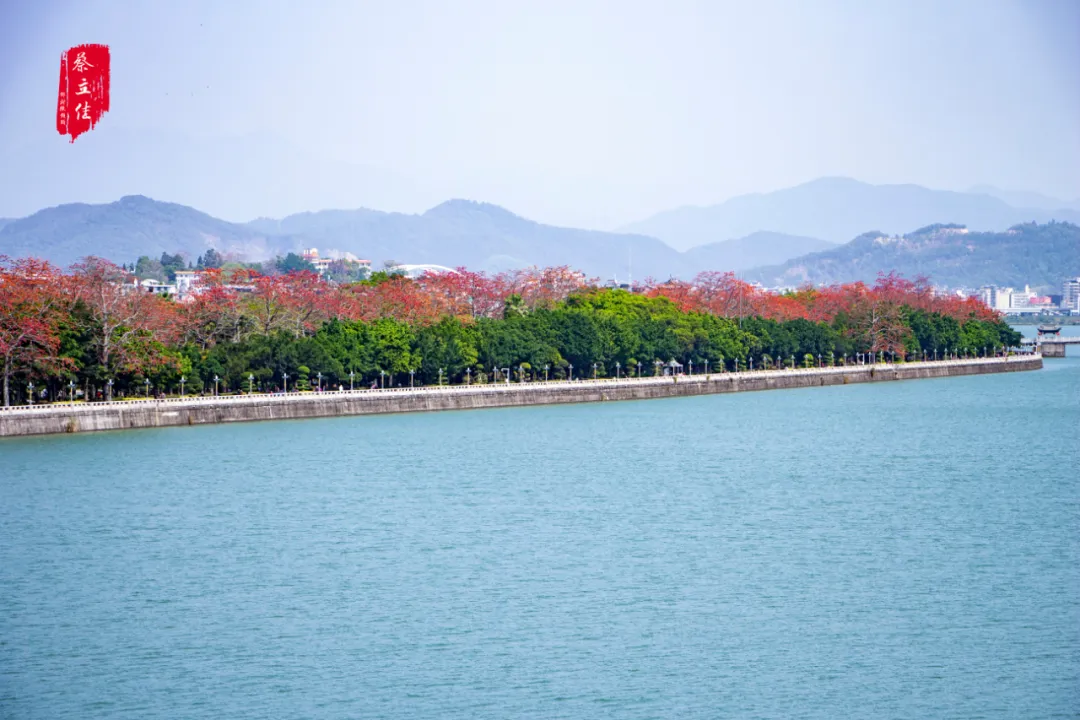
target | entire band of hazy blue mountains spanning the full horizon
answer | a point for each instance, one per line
(789, 236)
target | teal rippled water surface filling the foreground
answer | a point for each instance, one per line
(904, 550)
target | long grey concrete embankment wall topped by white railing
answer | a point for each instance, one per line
(79, 418)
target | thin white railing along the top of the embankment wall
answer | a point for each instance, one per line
(503, 387)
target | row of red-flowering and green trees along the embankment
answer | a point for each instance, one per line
(92, 335)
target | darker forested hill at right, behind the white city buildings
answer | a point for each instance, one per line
(1039, 255)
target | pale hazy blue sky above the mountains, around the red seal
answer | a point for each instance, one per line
(574, 113)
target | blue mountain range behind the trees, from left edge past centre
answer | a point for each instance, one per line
(457, 233)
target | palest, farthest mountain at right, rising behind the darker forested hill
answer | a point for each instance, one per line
(839, 210)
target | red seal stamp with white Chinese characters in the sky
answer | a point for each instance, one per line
(84, 97)
